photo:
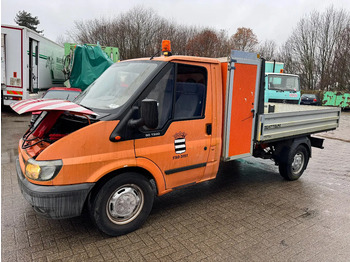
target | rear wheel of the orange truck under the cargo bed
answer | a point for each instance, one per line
(295, 163)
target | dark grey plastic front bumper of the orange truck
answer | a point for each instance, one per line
(54, 201)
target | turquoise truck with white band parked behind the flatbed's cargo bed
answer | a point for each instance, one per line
(280, 87)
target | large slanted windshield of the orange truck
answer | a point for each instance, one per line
(116, 85)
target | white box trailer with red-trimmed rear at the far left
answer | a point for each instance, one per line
(30, 64)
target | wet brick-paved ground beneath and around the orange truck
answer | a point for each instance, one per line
(248, 213)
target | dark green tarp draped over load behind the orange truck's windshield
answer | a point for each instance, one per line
(89, 63)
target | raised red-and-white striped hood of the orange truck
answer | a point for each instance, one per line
(33, 105)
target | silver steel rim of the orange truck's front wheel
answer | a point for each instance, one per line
(125, 204)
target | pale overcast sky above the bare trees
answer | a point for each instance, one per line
(269, 19)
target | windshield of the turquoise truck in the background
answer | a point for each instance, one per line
(283, 82)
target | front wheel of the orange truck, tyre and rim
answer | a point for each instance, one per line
(122, 204)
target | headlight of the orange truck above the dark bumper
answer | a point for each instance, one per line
(42, 170)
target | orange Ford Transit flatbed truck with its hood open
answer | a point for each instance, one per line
(150, 126)
